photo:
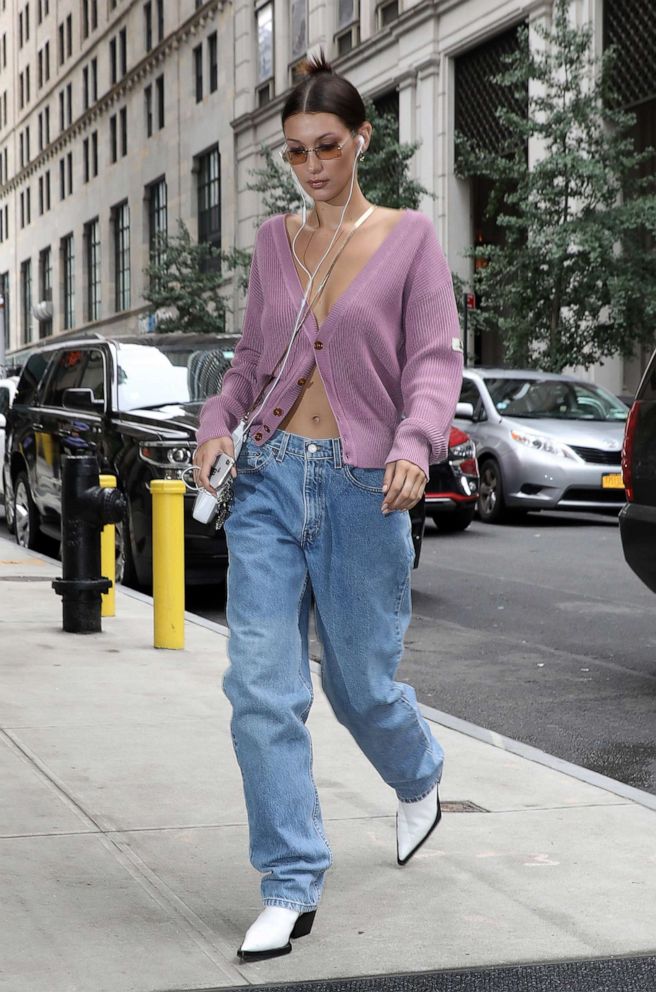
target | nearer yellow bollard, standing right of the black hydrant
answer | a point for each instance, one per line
(168, 562)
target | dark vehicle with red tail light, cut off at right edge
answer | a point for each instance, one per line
(638, 516)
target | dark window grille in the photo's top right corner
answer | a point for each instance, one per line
(630, 25)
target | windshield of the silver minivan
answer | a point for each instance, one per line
(559, 399)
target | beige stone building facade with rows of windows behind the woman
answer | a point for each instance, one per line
(183, 94)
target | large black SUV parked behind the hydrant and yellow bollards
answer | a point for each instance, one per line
(134, 403)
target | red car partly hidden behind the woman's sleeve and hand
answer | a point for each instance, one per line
(452, 489)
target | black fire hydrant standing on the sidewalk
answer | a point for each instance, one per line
(86, 508)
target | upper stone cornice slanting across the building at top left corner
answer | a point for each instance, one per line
(148, 65)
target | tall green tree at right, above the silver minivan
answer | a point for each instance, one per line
(575, 279)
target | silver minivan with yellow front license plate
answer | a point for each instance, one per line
(544, 442)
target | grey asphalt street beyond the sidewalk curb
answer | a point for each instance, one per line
(538, 631)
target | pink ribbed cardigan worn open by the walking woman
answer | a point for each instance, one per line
(388, 352)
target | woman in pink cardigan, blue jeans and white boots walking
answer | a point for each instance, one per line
(337, 454)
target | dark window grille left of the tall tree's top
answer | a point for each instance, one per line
(477, 98)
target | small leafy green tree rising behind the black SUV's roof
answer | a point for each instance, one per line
(184, 280)
